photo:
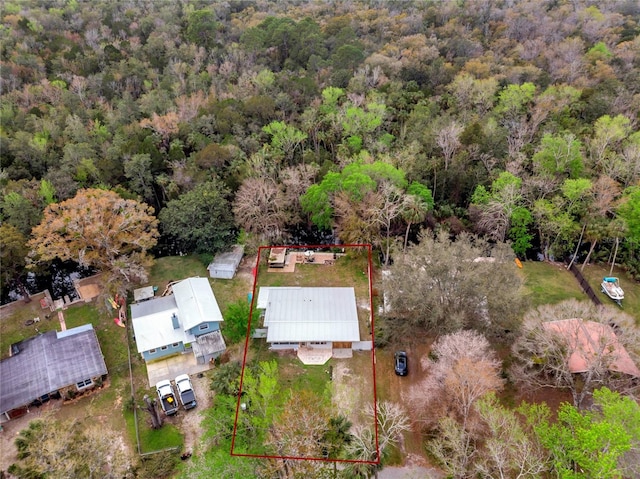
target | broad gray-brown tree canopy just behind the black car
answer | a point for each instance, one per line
(447, 285)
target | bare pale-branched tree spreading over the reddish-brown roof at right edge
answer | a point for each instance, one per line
(545, 351)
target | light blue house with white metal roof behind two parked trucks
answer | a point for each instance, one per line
(187, 320)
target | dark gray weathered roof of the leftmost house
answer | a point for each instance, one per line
(48, 362)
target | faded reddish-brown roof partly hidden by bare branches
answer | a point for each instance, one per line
(585, 338)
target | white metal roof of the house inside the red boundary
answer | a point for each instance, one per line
(311, 314)
